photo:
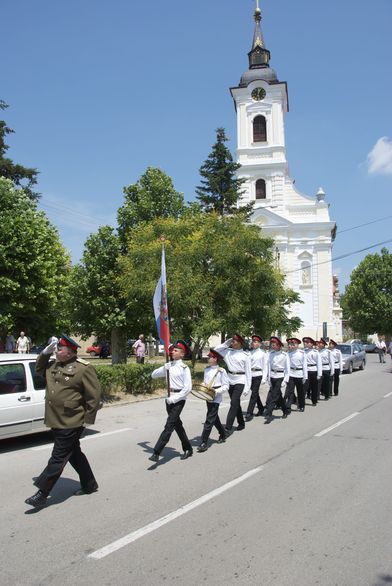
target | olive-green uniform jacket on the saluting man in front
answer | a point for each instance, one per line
(73, 392)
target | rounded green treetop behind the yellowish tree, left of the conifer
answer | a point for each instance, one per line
(153, 196)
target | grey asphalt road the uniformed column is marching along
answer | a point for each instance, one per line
(300, 501)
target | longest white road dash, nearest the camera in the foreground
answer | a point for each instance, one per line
(127, 539)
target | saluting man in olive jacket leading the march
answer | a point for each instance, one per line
(73, 396)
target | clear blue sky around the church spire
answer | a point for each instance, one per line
(100, 90)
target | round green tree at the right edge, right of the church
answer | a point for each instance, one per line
(367, 301)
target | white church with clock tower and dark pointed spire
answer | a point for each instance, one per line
(300, 225)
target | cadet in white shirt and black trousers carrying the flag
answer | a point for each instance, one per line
(180, 386)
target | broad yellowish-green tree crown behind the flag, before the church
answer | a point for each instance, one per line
(221, 278)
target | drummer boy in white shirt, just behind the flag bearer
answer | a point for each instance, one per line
(216, 378)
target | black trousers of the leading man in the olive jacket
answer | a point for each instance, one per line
(66, 449)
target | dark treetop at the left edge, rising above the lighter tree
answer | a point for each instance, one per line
(21, 176)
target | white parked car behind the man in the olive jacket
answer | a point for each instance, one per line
(22, 396)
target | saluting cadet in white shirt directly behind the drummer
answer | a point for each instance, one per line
(240, 379)
